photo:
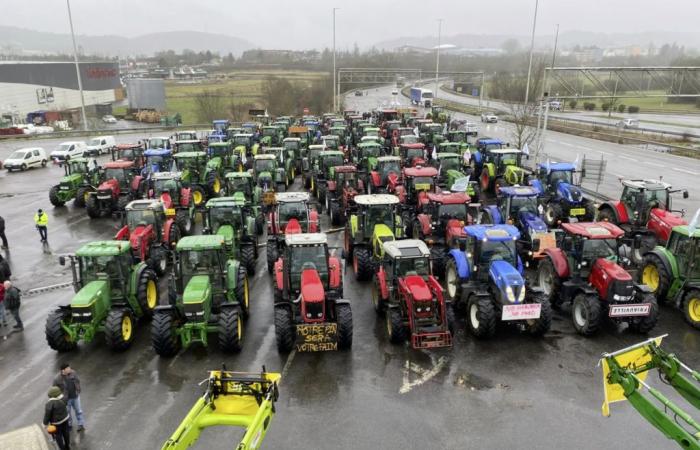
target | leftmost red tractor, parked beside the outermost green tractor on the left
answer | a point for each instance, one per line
(122, 184)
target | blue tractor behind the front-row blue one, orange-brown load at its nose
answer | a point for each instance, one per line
(519, 206)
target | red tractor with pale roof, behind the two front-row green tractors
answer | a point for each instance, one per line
(151, 234)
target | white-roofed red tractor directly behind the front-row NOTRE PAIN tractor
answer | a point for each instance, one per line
(290, 214)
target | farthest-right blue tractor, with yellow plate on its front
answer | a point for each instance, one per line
(562, 199)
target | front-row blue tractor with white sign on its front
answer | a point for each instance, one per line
(485, 277)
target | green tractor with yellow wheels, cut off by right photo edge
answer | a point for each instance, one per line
(673, 271)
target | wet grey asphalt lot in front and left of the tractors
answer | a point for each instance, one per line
(511, 392)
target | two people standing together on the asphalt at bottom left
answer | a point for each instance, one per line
(64, 400)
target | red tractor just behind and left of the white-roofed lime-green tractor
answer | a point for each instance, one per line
(341, 190)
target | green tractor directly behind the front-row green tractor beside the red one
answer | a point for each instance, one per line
(231, 218)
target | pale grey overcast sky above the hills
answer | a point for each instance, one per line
(307, 24)
